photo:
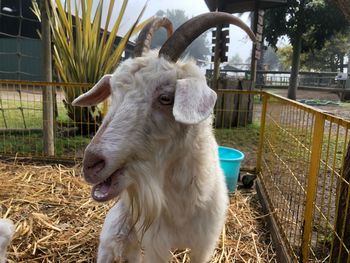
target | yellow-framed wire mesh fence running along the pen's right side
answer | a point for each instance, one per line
(302, 172)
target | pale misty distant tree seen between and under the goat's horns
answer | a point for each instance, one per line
(199, 49)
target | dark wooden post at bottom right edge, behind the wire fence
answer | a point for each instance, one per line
(342, 225)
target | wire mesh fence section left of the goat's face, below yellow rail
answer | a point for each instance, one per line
(21, 120)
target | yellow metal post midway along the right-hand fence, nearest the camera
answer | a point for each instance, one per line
(316, 150)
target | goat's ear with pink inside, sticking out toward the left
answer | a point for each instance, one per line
(96, 94)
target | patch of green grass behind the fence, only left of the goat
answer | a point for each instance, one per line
(23, 121)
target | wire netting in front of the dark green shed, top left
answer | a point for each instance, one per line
(20, 45)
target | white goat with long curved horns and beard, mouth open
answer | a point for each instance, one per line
(156, 150)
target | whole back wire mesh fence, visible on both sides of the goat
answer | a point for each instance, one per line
(21, 121)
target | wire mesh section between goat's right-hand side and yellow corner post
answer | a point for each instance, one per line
(238, 121)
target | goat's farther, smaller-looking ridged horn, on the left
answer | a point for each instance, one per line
(144, 39)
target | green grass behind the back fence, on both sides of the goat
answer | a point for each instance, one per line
(31, 142)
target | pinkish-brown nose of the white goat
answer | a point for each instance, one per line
(93, 164)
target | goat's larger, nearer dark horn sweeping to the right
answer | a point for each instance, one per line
(189, 31)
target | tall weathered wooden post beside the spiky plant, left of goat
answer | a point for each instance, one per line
(48, 114)
